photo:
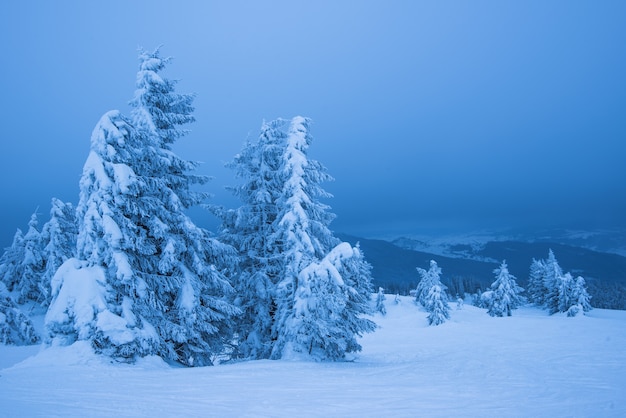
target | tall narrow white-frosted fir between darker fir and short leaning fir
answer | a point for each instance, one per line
(301, 229)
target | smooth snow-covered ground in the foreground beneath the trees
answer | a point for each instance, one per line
(529, 365)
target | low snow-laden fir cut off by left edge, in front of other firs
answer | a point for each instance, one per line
(16, 328)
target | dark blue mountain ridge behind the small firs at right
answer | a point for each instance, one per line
(394, 267)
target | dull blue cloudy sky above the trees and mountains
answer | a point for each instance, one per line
(432, 116)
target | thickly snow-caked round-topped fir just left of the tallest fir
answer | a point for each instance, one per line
(105, 254)
